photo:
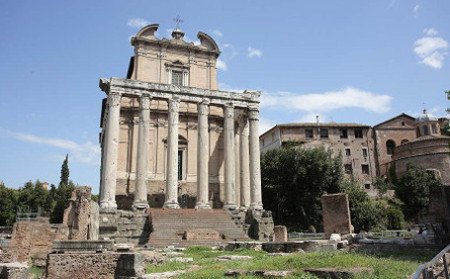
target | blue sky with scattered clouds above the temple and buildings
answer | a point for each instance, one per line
(347, 61)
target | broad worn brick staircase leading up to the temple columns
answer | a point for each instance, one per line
(187, 227)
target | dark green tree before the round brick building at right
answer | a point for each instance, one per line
(414, 189)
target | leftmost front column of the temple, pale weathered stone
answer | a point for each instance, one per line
(110, 151)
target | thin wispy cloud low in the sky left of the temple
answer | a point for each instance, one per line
(87, 153)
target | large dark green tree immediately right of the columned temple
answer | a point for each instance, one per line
(294, 179)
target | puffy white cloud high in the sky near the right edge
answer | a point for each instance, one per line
(431, 49)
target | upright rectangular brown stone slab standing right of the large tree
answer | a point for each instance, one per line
(336, 214)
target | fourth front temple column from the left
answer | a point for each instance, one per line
(202, 156)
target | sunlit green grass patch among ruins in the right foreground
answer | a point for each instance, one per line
(385, 265)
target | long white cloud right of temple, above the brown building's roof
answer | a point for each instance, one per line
(327, 101)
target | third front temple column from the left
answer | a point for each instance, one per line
(172, 155)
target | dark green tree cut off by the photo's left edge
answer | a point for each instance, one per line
(8, 205)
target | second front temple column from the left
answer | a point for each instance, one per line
(140, 191)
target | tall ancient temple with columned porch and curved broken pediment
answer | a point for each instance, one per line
(170, 139)
